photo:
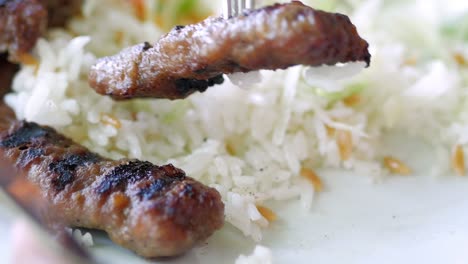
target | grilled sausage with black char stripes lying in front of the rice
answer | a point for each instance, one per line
(152, 210)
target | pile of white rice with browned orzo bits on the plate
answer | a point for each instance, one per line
(264, 142)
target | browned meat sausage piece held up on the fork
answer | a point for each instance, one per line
(194, 57)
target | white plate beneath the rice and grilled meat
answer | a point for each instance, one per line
(412, 219)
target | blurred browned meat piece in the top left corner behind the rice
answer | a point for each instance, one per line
(22, 22)
